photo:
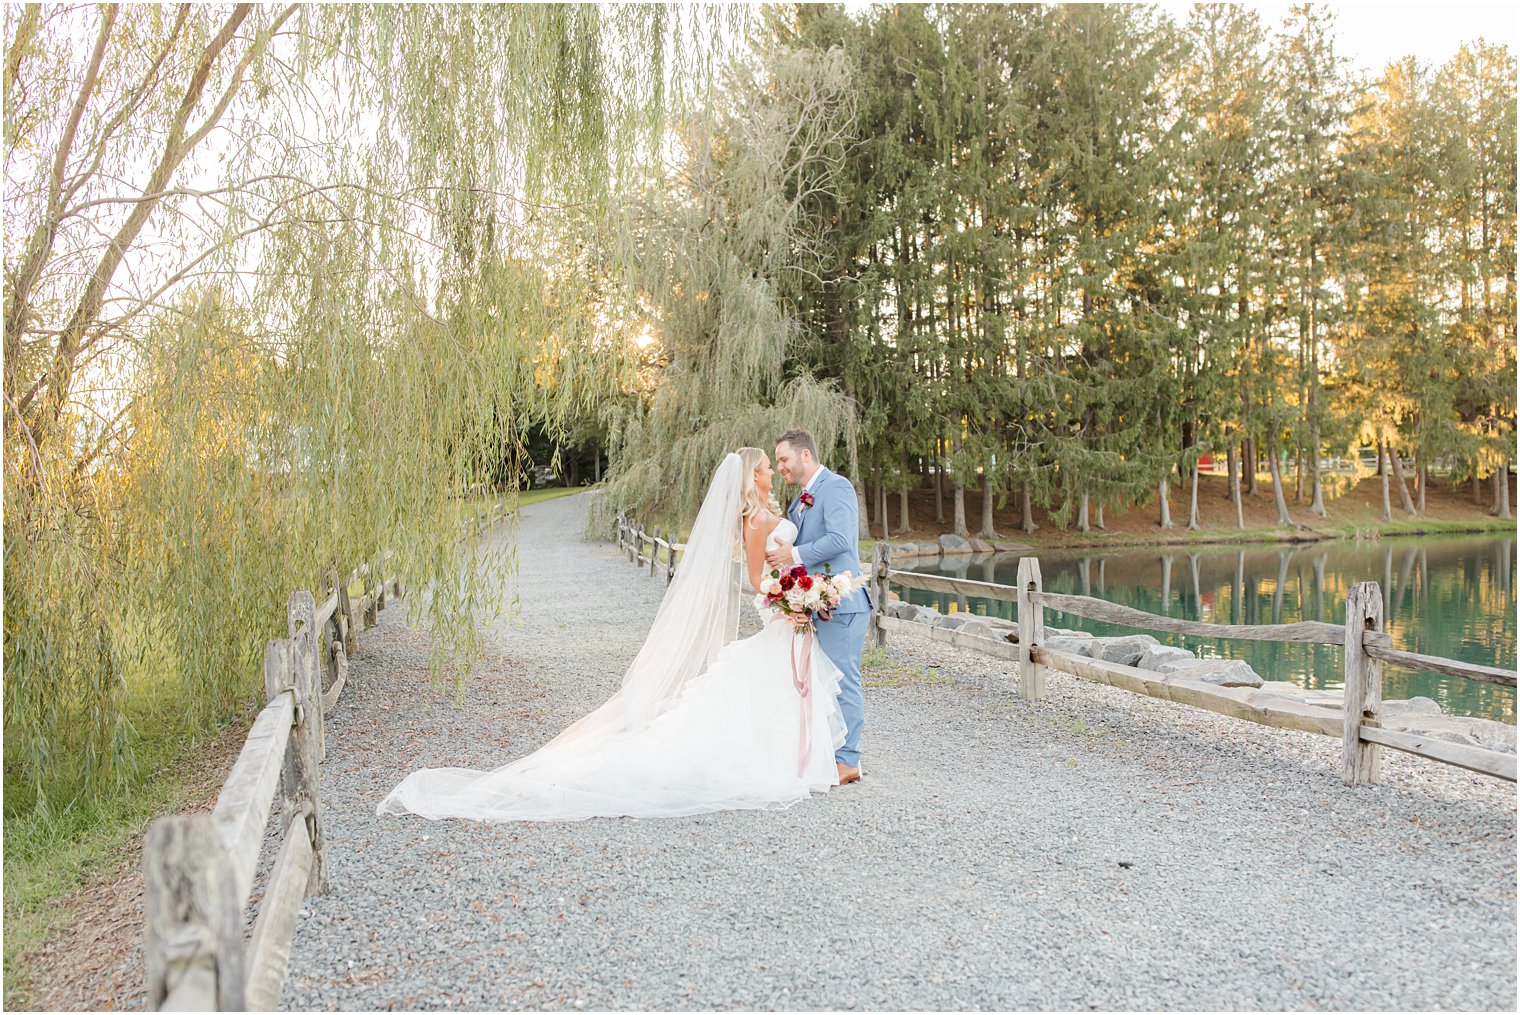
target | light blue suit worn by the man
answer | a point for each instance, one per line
(828, 533)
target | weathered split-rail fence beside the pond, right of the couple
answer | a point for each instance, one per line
(1367, 651)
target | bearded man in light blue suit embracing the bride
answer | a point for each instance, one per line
(828, 523)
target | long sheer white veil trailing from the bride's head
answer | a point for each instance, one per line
(700, 616)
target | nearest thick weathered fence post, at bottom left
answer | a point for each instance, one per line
(192, 920)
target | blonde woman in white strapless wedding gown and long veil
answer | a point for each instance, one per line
(701, 723)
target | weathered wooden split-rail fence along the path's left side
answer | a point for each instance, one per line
(200, 870)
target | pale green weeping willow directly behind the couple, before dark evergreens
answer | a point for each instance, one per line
(726, 239)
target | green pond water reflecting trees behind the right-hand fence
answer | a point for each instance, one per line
(1449, 596)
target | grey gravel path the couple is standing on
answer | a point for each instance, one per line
(1095, 850)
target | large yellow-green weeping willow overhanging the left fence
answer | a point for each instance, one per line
(282, 291)
